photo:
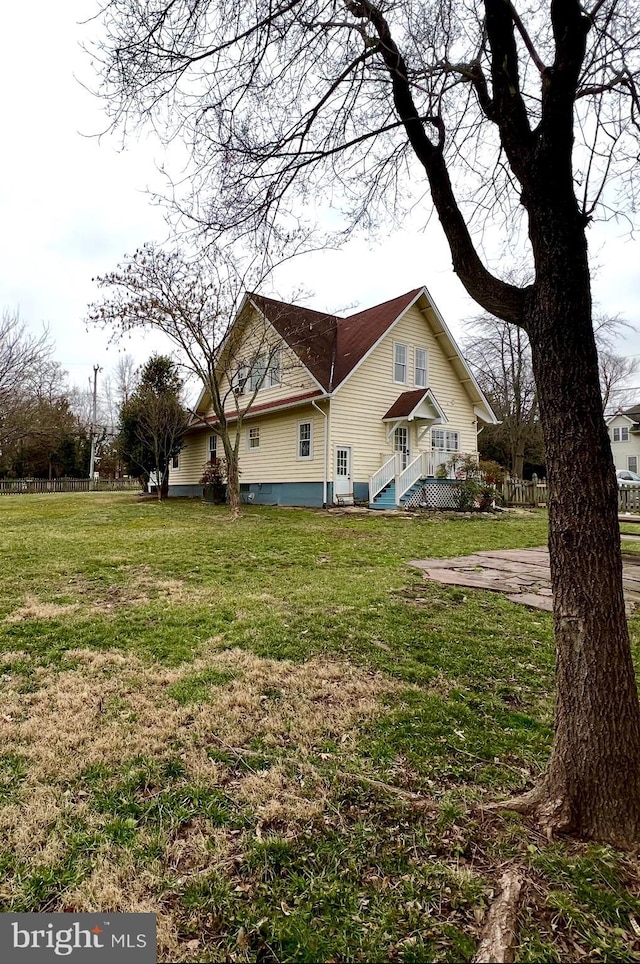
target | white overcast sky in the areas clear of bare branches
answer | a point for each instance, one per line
(71, 205)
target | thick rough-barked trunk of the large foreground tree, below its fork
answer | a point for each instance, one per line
(592, 784)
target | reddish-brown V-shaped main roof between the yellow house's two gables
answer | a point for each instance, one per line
(330, 346)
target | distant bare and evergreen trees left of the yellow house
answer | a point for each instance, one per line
(46, 426)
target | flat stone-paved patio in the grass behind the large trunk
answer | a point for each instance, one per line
(523, 575)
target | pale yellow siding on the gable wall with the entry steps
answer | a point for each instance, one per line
(358, 407)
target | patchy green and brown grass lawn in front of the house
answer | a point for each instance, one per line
(199, 719)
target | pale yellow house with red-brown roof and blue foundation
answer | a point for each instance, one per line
(364, 407)
